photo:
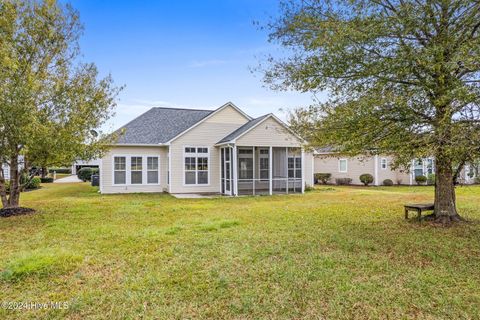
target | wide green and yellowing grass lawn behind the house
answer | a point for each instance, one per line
(335, 253)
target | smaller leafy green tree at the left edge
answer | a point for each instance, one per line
(50, 103)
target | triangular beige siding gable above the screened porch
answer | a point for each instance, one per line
(269, 133)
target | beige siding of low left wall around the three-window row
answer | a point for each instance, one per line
(106, 178)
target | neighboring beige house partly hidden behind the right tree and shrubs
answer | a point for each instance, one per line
(328, 161)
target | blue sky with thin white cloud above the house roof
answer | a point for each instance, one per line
(189, 54)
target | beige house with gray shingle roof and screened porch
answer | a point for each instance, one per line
(221, 151)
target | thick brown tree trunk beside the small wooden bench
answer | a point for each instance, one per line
(445, 201)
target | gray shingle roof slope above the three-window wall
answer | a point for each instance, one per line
(159, 125)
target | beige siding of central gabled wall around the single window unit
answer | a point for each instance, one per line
(206, 134)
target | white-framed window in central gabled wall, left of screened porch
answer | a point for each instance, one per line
(196, 165)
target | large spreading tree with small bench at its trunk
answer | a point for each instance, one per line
(403, 78)
